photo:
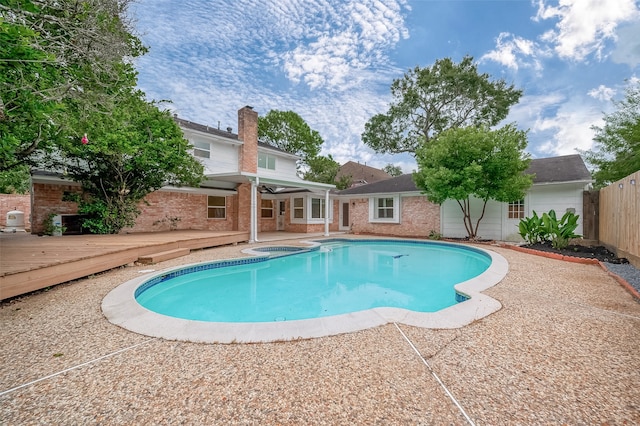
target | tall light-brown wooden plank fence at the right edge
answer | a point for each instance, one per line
(620, 217)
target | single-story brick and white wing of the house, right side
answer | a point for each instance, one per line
(397, 207)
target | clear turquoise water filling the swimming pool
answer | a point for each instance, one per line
(337, 278)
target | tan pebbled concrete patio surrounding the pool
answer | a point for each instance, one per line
(562, 350)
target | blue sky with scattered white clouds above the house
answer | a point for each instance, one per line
(333, 61)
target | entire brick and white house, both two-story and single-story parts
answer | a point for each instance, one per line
(251, 186)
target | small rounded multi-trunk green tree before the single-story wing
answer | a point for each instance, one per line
(474, 162)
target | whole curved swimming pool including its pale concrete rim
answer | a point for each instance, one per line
(328, 288)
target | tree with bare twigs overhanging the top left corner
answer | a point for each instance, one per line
(51, 52)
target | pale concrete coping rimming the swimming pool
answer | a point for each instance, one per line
(120, 308)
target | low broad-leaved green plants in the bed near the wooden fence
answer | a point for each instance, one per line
(549, 228)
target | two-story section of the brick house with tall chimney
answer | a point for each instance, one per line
(249, 186)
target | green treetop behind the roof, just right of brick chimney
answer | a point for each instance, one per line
(287, 131)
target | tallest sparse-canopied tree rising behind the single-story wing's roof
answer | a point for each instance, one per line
(427, 101)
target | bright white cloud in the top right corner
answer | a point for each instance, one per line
(584, 26)
